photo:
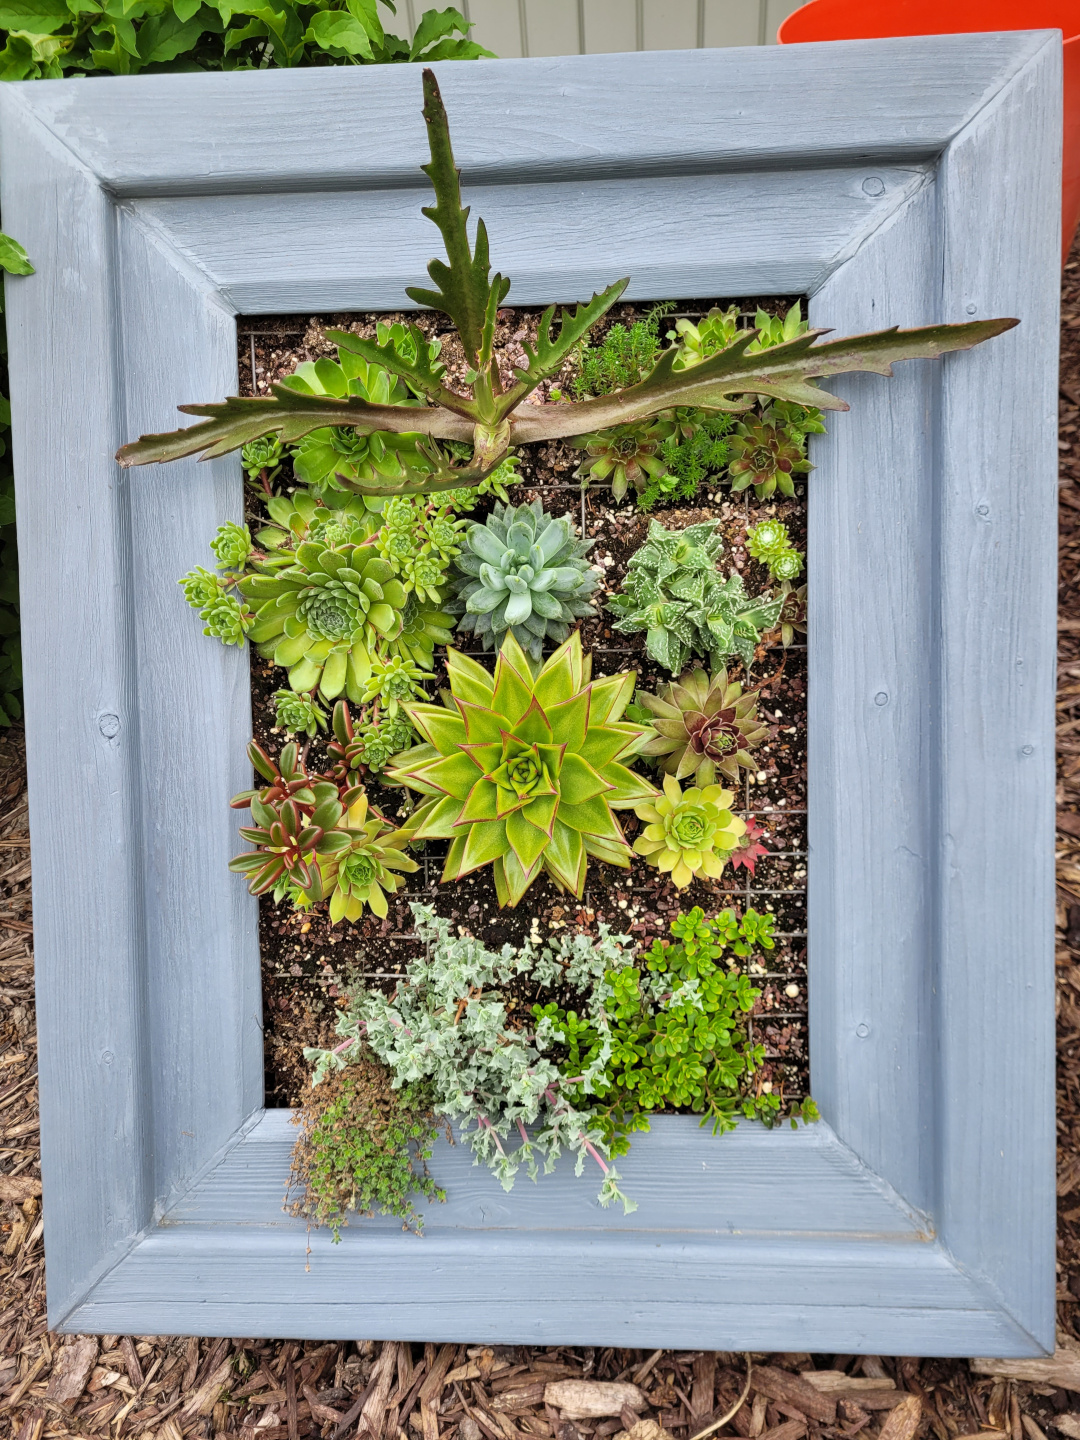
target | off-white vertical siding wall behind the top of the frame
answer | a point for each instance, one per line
(512, 28)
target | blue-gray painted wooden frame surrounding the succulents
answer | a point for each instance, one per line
(894, 182)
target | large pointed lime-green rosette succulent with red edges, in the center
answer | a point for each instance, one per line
(523, 771)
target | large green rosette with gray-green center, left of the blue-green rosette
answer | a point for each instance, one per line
(325, 617)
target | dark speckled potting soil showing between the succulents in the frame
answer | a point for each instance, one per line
(307, 966)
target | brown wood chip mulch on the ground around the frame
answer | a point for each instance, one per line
(169, 1389)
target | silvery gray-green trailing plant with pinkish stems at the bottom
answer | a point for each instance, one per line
(450, 1027)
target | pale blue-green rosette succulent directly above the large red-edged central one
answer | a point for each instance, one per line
(526, 572)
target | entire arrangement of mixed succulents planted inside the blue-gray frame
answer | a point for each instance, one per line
(352, 582)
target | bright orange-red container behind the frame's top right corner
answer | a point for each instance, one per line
(878, 19)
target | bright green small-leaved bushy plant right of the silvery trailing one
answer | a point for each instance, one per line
(673, 1035)
